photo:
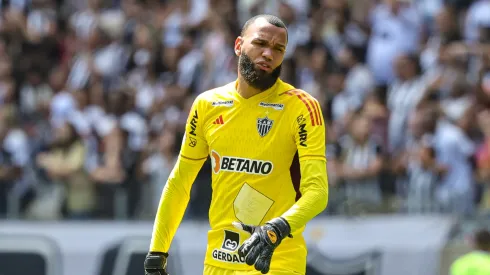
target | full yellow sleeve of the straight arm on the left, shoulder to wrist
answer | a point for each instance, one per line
(176, 194)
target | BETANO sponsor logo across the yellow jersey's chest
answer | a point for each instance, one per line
(240, 165)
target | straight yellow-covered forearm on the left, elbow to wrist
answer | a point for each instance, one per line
(173, 203)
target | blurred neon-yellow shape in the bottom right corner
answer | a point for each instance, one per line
(474, 263)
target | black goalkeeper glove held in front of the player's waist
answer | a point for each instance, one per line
(258, 249)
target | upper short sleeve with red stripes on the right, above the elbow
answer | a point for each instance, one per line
(309, 127)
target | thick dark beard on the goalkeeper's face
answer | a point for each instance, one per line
(256, 78)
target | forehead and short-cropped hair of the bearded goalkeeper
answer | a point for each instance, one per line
(260, 28)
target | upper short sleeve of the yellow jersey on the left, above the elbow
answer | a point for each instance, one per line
(194, 144)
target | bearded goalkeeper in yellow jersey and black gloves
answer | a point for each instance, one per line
(266, 141)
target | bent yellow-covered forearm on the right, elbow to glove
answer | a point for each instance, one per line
(314, 190)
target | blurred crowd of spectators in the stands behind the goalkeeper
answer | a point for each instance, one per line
(94, 96)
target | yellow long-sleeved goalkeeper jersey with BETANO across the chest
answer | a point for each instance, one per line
(251, 177)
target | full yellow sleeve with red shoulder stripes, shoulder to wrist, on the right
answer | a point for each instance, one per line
(310, 140)
